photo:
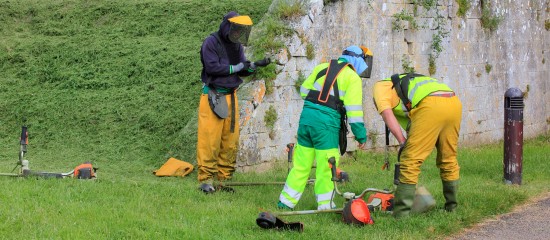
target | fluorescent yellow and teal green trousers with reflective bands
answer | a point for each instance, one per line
(314, 143)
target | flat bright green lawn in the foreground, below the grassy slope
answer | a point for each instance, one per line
(127, 201)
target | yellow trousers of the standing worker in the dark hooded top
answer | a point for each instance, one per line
(216, 144)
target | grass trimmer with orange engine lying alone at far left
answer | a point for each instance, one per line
(83, 171)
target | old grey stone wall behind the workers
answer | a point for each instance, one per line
(518, 52)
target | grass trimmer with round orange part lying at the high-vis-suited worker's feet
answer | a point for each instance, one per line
(355, 211)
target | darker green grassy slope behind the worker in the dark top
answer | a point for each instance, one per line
(111, 82)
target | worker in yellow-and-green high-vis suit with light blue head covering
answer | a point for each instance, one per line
(326, 102)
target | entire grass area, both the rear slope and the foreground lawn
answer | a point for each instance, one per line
(117, 82)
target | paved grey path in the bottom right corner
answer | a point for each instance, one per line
(529, 221)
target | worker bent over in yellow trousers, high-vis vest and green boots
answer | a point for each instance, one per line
(430, 112)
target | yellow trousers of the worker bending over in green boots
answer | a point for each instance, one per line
(434, 122)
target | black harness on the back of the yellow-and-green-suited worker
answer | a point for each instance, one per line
(324, 98)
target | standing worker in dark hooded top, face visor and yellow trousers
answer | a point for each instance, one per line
(224, 62)
